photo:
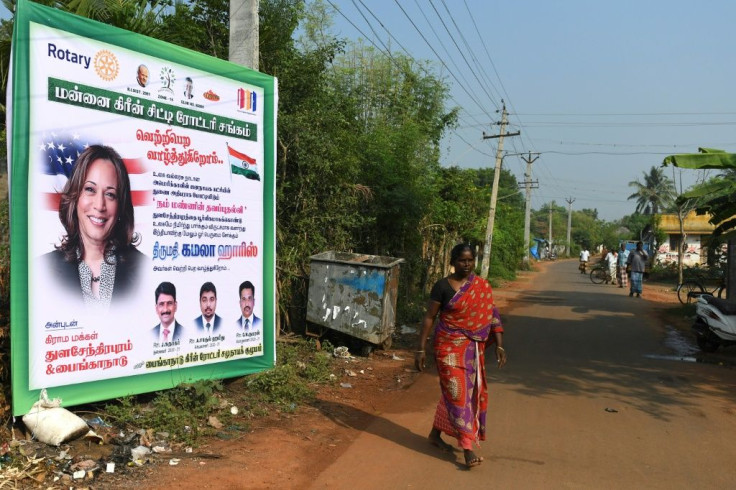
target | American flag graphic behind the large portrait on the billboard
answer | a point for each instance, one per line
(59, 155)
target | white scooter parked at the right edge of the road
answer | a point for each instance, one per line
(715, 323)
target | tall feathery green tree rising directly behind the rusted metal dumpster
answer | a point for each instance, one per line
(401, 119)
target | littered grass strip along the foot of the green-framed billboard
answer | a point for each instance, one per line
(185, 412)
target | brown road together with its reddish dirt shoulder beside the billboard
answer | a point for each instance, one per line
(575, 350)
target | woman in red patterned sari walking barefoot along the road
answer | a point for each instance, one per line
(468, 321)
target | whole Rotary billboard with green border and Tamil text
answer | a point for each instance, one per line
(142, 187)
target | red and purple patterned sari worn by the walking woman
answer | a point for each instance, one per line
(466, 324)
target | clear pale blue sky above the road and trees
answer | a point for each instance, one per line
(603, 91)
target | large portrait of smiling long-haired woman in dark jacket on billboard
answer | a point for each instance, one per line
(97, 255)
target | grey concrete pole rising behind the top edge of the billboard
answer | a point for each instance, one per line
(244, 33)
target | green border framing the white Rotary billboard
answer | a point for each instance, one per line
(19, 157)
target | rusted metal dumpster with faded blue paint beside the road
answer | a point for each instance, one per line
(354, 294)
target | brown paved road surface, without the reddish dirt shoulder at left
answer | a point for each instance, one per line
(589, 399)
